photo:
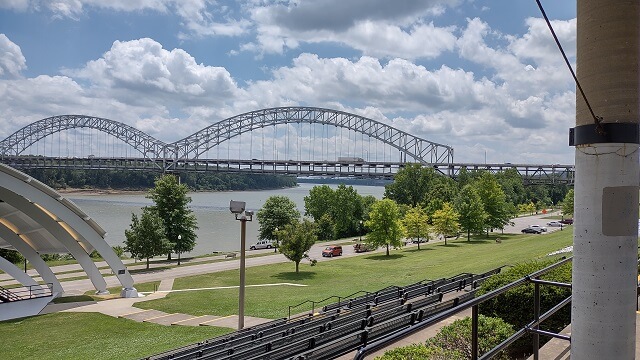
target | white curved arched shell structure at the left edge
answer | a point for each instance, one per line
(35, 219)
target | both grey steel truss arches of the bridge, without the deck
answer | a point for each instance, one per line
(193, 146)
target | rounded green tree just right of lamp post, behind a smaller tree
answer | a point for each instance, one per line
(277, 212)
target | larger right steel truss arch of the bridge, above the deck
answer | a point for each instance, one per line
(421, 150)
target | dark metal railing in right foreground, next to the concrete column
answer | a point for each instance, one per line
(532, 327)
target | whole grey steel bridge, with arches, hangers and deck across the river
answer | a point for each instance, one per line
(192, 153)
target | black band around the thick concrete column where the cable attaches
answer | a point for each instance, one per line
(607, 133)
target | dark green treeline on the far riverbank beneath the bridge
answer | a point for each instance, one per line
(140, 180)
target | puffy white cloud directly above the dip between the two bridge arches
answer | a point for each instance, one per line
(169, 76)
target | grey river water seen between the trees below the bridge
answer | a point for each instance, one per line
(217, 228)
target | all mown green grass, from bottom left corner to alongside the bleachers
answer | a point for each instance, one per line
(92, 336)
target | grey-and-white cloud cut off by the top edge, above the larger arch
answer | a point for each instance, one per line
(379, 28)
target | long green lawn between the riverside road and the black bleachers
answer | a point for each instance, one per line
(343, 277)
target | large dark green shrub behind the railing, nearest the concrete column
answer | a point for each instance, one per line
(516, 305)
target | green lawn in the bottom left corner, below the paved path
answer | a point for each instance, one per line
(93, 336)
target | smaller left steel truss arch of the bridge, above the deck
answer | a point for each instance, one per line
(22, 139)
